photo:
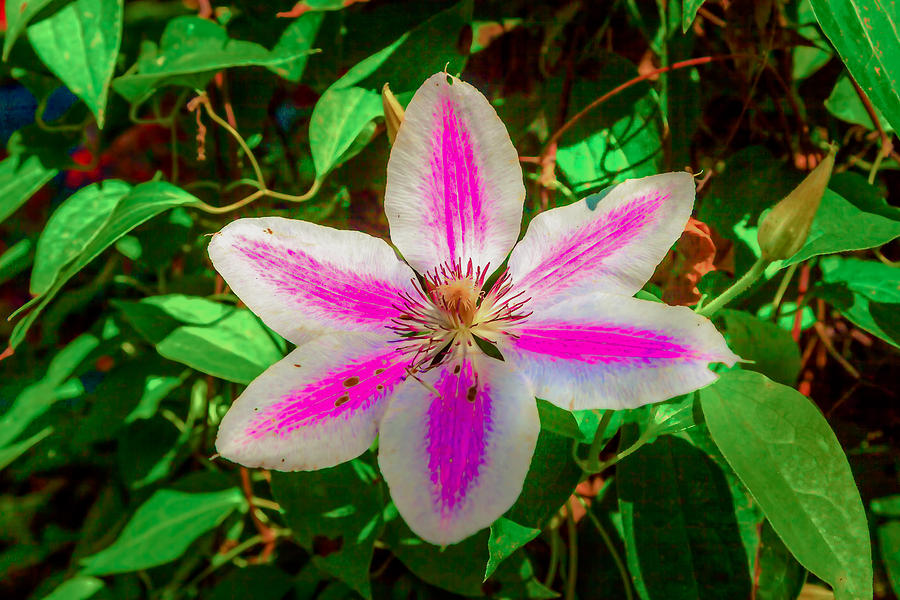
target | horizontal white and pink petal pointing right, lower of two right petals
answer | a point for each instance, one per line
(612, 352)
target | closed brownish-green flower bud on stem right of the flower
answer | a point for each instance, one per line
(784, 229)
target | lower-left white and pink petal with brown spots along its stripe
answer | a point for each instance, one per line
(316, 408)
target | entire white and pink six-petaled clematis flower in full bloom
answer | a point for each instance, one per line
(382, 350)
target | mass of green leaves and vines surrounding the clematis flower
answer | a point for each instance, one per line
(134, 130)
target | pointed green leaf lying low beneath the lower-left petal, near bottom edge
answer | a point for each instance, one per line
(162, 529)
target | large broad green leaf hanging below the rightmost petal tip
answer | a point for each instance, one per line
(783, 450)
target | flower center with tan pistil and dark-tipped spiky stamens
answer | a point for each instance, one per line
(452, 310)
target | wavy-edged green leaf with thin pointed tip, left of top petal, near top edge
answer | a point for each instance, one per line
(192, 50)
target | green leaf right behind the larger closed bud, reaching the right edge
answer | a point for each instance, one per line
(855, 219)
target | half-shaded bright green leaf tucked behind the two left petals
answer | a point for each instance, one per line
(220, 340)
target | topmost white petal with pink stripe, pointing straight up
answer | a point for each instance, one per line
(454, 183)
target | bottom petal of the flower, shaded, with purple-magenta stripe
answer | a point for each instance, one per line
(455, 447)
